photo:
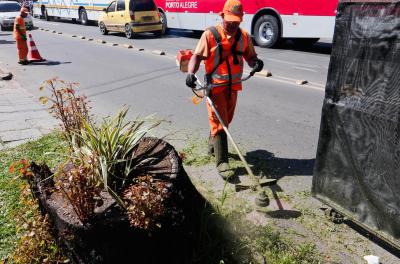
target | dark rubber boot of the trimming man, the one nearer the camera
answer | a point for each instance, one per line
(221, 156)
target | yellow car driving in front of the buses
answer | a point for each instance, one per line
(131, 17)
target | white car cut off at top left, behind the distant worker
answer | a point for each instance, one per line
(8, 11)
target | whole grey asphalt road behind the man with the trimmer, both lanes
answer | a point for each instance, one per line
(273, 114)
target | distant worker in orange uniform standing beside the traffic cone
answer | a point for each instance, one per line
(20, 36)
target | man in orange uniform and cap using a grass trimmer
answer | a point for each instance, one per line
(222, 48)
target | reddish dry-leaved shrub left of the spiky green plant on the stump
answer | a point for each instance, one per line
(79, 182)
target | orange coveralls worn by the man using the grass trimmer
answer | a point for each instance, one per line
(224, 99)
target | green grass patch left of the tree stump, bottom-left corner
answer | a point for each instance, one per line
(18, 211)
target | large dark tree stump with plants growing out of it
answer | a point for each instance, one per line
(109, 238)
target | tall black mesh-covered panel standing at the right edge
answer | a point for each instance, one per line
(358, 158)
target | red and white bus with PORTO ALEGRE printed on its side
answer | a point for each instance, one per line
(267, 21)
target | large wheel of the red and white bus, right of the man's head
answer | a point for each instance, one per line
(266, 31)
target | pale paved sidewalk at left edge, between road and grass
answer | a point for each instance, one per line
(22, 117)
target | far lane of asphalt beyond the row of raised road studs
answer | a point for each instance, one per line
(287, 62)
